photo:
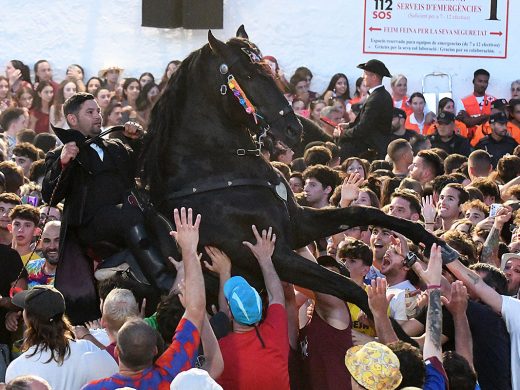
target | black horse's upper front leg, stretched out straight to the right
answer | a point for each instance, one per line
(311, 224)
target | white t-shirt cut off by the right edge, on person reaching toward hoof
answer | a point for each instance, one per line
(511, 315)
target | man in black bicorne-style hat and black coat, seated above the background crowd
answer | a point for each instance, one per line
(373, 126)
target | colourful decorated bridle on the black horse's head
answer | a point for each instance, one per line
(230, 83)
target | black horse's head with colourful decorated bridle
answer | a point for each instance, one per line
(252, 96)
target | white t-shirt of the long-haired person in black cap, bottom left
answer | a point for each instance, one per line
(85, 363)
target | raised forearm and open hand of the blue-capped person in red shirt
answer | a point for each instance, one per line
(263, 250)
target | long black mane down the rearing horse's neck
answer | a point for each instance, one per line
(165, 118)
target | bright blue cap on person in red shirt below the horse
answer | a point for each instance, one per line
(244, 301)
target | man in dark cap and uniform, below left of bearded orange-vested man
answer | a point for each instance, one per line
(445, 138)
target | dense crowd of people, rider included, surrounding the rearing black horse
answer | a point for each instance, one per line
(455, 170)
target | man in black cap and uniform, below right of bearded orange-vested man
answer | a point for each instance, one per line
(498, 143)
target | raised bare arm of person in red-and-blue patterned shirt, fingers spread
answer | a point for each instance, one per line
(187, 236)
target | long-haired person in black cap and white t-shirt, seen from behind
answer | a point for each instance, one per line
(50, 348)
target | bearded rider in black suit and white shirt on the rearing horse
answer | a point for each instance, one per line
(95, 183)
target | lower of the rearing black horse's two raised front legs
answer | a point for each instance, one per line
(300, 271)
